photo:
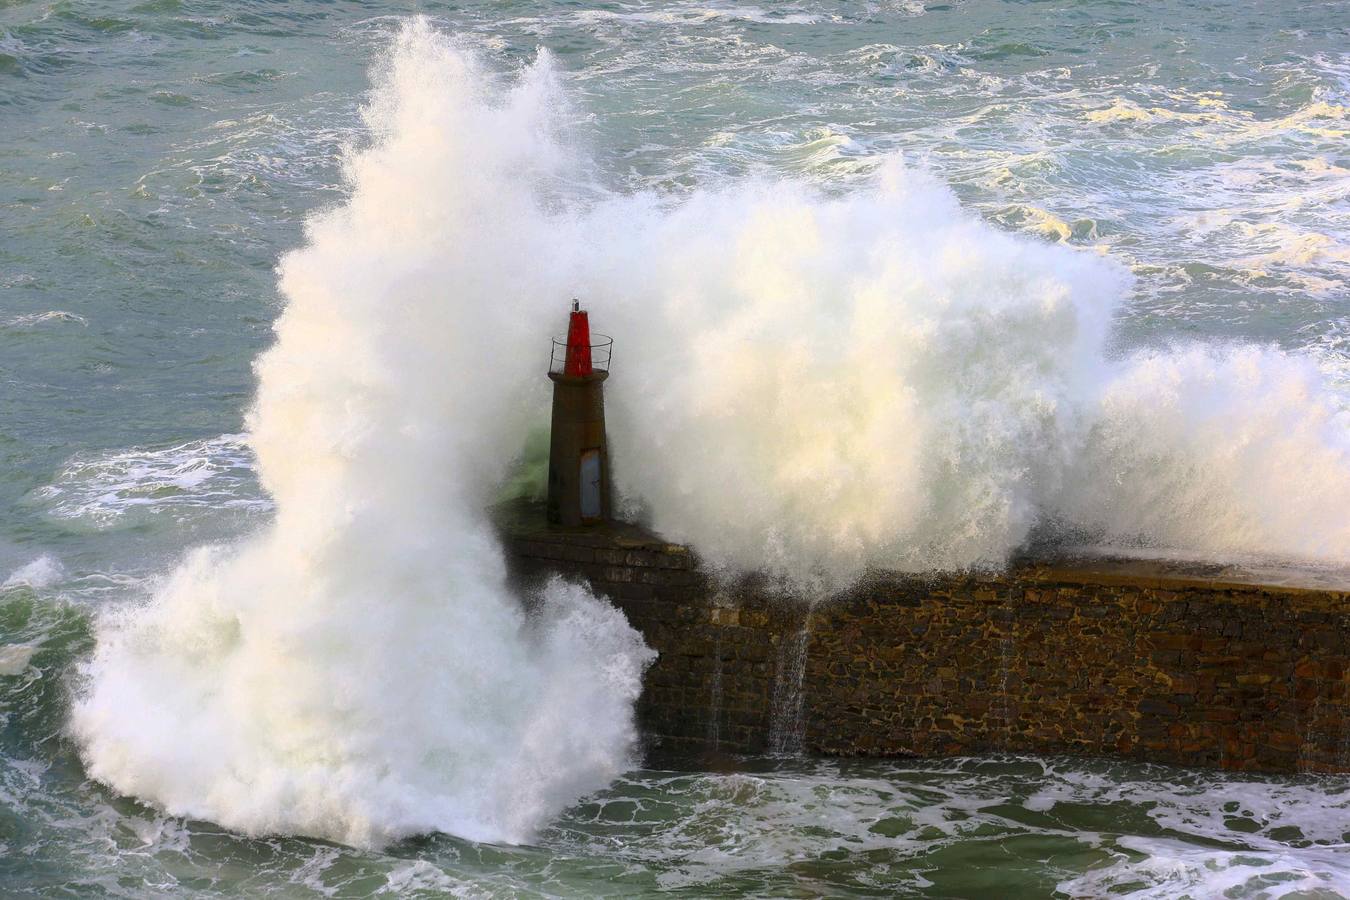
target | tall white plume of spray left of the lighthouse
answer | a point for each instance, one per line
(360, 671)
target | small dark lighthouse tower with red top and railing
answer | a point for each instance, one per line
(578, 455)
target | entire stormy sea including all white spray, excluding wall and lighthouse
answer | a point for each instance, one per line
(905, 284)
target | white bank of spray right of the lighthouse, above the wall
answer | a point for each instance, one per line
(821, 385)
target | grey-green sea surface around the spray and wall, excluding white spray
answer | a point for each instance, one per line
(157, 159)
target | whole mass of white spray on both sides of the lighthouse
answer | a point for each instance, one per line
(805, 384)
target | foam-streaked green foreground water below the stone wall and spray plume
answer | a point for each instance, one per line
(786, 828)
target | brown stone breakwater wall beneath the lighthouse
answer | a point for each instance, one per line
(1187, 667)
